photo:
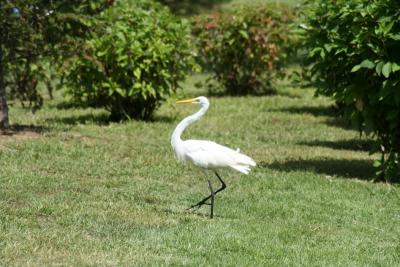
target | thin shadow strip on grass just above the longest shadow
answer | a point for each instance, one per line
(355, 144)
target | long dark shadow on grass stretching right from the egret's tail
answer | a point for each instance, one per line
(358, 169)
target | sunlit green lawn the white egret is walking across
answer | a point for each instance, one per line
(78, 191)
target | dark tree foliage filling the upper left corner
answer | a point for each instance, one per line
(35, 35)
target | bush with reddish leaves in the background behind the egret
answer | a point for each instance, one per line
(244, 49)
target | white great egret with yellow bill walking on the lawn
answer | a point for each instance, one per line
(207, 154)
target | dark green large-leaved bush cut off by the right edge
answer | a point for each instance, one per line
(354, 56)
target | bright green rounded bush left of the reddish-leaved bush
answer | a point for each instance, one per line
(133, 62)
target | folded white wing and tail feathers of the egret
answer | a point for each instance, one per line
(207, 154)
